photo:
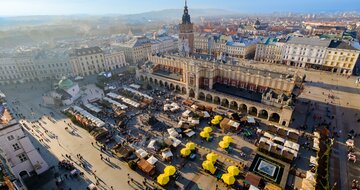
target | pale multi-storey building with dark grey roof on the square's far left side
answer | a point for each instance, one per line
(87, 61)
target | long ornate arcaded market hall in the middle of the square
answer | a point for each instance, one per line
(238, 86)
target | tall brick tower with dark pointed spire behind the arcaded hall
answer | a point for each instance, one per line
(186, 35)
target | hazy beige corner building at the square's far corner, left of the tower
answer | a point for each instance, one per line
(136, 50)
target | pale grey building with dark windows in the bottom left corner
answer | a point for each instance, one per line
(22, 158)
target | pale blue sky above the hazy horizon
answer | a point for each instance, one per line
(99, 7)
